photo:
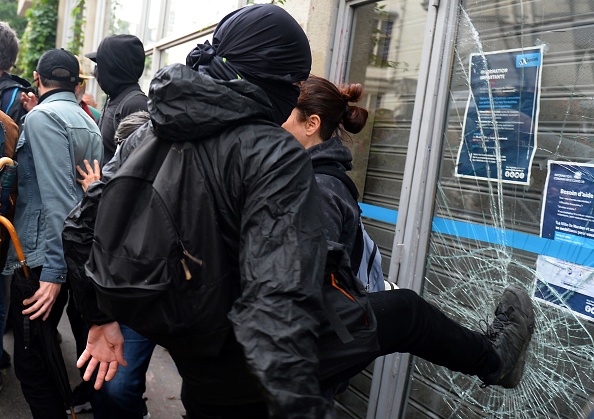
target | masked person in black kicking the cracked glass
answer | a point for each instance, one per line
(259, 199)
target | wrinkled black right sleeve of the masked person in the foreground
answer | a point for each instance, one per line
(282, 256)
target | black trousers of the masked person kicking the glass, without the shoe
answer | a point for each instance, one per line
(406, 323)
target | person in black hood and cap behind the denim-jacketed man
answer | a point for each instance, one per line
(120, 63)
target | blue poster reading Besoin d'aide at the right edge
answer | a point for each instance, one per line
(568, 206)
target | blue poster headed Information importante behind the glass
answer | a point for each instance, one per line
(501, 119)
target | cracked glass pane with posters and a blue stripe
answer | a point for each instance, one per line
(487, 232)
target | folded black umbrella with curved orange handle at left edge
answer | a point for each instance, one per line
(25, 284)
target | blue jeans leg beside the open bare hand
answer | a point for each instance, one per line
(122, 396)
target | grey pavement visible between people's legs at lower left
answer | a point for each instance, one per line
(163, 384)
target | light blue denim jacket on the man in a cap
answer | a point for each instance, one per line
(57, 135)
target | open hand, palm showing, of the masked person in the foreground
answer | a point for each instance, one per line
(105, 349)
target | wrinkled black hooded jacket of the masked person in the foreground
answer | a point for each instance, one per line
(267, 207)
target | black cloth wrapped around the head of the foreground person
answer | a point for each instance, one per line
(262, 44)
